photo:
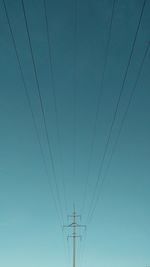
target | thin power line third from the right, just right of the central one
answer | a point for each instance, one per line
(98, 105)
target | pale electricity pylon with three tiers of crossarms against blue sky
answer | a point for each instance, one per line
(74, 225)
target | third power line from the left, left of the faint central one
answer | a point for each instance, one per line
(51, 69)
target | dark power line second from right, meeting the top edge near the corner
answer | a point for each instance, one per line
(94, 196)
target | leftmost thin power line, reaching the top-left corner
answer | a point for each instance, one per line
(30, 104)
